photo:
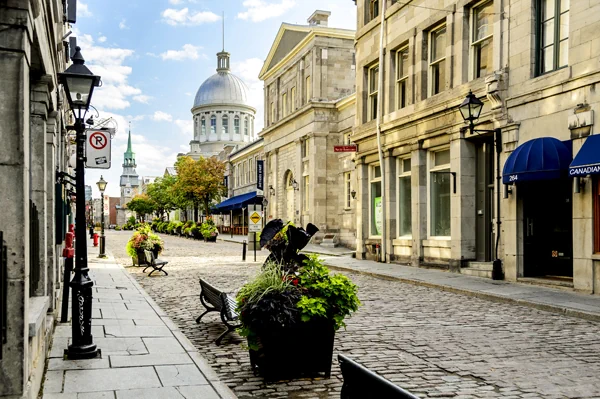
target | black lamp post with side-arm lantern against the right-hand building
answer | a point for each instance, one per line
(470, 110)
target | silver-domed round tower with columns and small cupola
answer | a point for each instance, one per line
(222, 115)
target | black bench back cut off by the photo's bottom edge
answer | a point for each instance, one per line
(362, 383)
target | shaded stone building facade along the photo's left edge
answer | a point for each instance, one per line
(35, 145)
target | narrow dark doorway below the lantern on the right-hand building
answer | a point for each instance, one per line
(484, 201)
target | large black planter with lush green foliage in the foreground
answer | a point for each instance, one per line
(293, 302)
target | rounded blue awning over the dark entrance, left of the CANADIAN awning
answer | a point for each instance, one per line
(544, 158)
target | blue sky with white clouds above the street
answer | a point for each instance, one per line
(153, 55)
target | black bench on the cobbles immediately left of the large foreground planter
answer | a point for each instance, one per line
(216, 301)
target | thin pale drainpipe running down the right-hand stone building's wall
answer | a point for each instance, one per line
(383, 257)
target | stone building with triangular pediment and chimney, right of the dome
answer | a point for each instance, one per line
(307, 74)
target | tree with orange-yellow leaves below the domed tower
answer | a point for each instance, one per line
(200, 182)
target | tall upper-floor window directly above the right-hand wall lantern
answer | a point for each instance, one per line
(482, 35)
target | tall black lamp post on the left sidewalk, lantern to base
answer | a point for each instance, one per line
(79, 83)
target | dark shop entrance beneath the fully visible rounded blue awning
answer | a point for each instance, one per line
(548, 228)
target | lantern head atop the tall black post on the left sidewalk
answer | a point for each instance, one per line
(78, 82)
